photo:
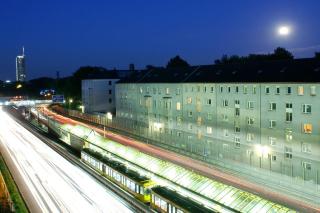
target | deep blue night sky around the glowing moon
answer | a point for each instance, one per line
(62, 35)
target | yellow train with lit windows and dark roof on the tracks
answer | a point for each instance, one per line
(159, 198)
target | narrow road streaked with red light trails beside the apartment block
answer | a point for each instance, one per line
(194, 165)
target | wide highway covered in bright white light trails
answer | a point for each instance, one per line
(47, 181)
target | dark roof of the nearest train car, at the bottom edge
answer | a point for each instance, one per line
(179, 200)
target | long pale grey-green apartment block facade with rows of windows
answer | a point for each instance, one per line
(269, 127)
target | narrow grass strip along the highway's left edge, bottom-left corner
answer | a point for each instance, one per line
(17, 200)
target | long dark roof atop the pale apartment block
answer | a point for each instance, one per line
(297, 70)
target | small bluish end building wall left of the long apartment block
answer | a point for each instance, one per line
(98, 95)
